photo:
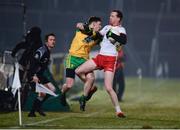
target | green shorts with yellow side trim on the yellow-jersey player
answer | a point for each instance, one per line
(72, 62)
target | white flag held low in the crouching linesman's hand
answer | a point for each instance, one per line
(43, 89)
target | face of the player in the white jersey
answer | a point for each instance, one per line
(113, 19)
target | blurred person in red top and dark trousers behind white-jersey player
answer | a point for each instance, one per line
(119, 81)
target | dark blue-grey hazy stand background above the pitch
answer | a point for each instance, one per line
(153, 28)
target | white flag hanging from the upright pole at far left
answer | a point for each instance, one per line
(16, 81)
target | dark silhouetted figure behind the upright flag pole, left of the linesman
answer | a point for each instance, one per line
(23, 51)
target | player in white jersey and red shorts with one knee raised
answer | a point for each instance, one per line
(113, 36)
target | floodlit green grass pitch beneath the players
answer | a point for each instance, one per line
(148, 103)
